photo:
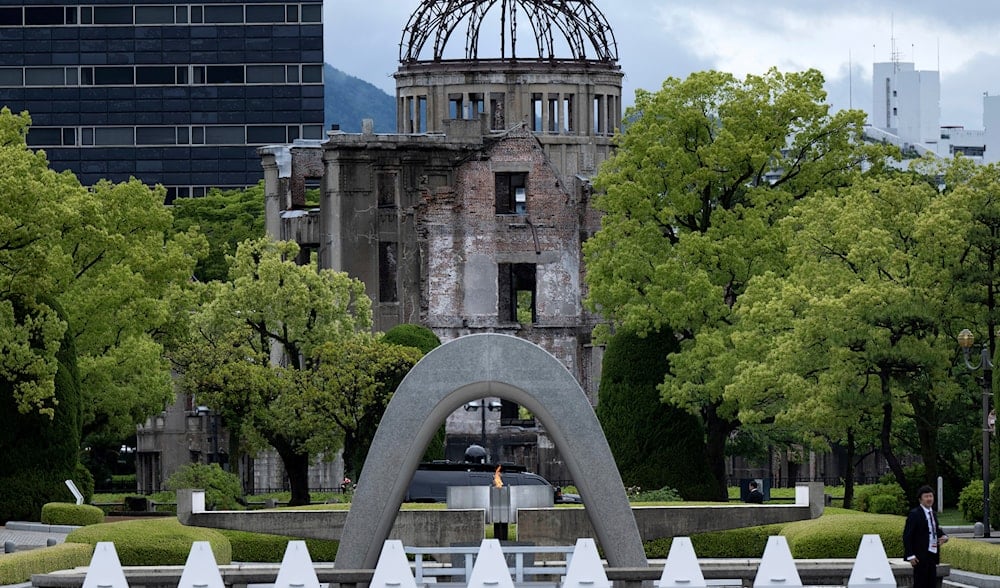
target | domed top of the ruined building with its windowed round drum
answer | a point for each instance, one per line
(553, 67)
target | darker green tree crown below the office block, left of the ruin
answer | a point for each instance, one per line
(226, 218)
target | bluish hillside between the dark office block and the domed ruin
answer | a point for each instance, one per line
(349, 100)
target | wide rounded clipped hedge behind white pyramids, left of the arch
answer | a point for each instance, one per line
(153, 542)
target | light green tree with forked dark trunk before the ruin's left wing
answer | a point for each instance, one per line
(253, 345)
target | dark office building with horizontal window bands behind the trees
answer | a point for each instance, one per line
(173, 93)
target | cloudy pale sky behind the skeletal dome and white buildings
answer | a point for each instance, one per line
(661, 38)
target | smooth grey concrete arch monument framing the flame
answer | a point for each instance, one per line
(467, 369)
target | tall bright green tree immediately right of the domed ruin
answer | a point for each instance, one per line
(704, 170)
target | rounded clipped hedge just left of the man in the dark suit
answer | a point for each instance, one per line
(838, 536)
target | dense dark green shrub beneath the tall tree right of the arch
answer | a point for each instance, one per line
(654, 445)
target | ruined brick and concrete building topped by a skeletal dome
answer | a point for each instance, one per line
(471, 217)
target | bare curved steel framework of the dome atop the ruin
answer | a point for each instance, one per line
(582, 25)
